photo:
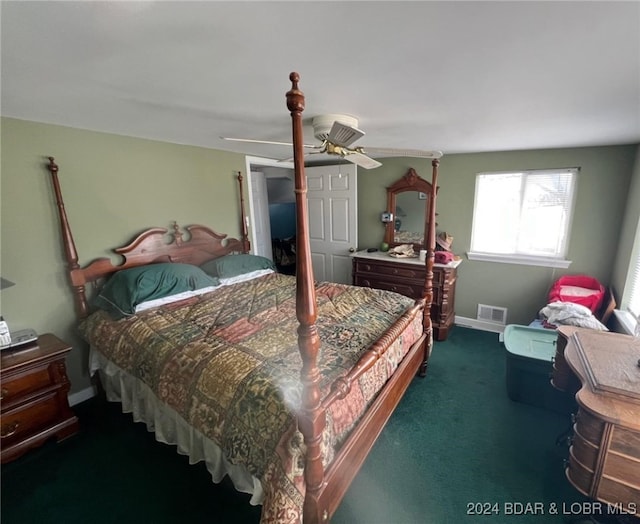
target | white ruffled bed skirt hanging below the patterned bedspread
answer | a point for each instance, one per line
(169, 427)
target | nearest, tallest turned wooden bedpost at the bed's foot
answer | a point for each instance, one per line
(311, 417)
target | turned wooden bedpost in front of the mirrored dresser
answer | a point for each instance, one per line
(428, 282)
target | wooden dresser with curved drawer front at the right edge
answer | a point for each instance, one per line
(604, 457)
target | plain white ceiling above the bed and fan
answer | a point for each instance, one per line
(455, 76)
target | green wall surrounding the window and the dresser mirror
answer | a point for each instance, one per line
(602, 193)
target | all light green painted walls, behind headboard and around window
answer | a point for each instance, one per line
(114, 186)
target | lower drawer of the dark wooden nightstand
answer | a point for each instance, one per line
(28, 418)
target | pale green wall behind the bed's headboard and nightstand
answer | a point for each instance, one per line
(113, 187)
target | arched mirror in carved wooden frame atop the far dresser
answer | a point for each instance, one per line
(408, 202)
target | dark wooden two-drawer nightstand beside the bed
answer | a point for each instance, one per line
(34, 388)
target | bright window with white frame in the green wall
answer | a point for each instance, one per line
(523, 217)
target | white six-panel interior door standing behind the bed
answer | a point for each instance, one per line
(333, 230)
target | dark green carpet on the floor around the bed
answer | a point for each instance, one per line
(456, 439)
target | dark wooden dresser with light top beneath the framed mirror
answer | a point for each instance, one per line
(406, 276)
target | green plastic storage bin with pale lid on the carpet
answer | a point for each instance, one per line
(530, 352)
